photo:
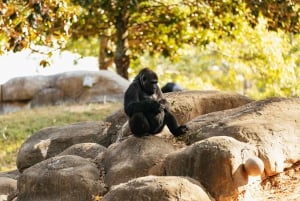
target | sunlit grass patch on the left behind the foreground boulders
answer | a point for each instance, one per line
(16, 127)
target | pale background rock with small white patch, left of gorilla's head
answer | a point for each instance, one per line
(105, 86)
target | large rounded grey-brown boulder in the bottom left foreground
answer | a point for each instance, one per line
(60, 178)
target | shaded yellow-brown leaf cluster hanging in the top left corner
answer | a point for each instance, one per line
(42, 22)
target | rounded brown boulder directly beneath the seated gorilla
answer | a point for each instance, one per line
(133, 158)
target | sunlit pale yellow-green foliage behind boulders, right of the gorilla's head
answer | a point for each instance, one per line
(257, 62)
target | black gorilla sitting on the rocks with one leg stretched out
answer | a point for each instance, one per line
(148, 112)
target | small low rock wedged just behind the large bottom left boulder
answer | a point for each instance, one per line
(84, 150)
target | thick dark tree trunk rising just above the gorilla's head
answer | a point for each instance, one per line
(121, 54)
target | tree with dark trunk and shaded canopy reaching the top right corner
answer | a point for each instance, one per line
(176, 23)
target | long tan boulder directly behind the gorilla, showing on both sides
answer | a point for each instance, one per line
(185, 105)
